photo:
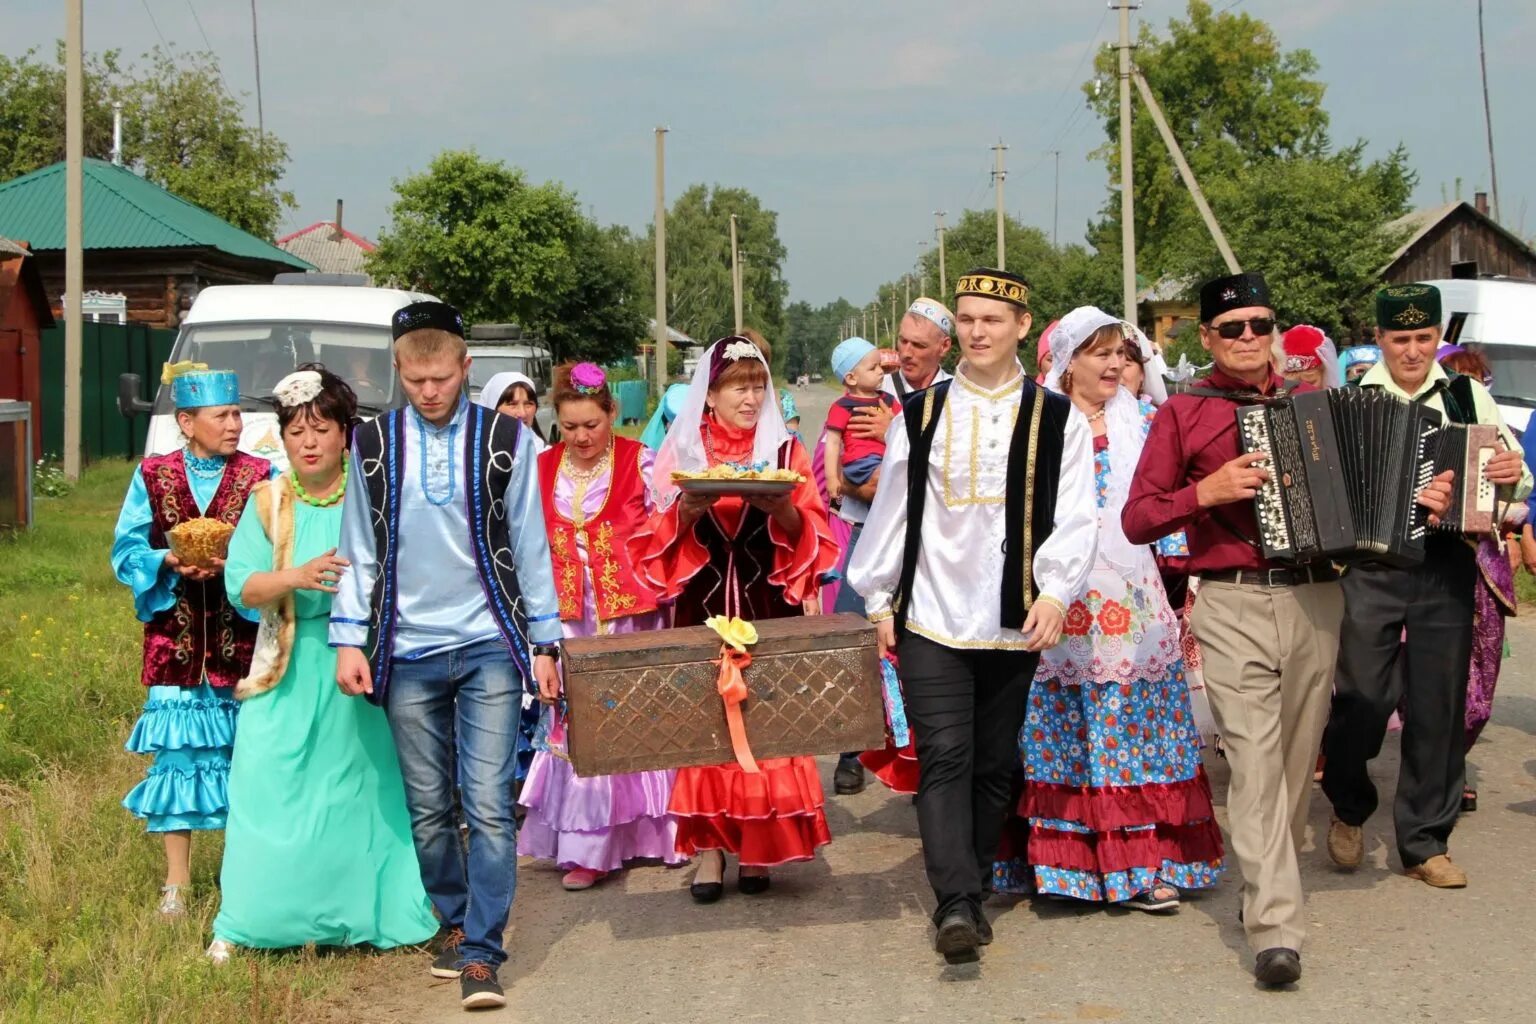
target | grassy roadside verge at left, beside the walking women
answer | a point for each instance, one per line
(79, 877)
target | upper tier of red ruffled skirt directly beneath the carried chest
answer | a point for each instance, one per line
(789, 787)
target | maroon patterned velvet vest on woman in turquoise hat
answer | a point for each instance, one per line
(202, 635)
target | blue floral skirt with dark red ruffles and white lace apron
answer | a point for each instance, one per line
(1116, 799)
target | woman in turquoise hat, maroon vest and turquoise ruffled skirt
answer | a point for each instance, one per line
(196, 644)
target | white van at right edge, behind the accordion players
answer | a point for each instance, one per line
(1498, 319)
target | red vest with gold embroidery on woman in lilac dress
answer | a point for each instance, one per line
(618, 589)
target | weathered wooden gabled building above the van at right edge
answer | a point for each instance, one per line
(1457, 240)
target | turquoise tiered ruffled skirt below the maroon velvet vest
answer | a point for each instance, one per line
(191, 735)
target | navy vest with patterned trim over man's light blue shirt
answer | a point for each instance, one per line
(491, 449)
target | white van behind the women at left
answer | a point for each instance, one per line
(262, 332)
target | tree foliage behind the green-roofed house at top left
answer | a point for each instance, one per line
(182, 130)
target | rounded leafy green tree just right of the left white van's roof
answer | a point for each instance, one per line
(477, 234)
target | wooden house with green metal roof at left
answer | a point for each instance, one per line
(148, 253)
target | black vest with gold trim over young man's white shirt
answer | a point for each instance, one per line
(1034, 469)
